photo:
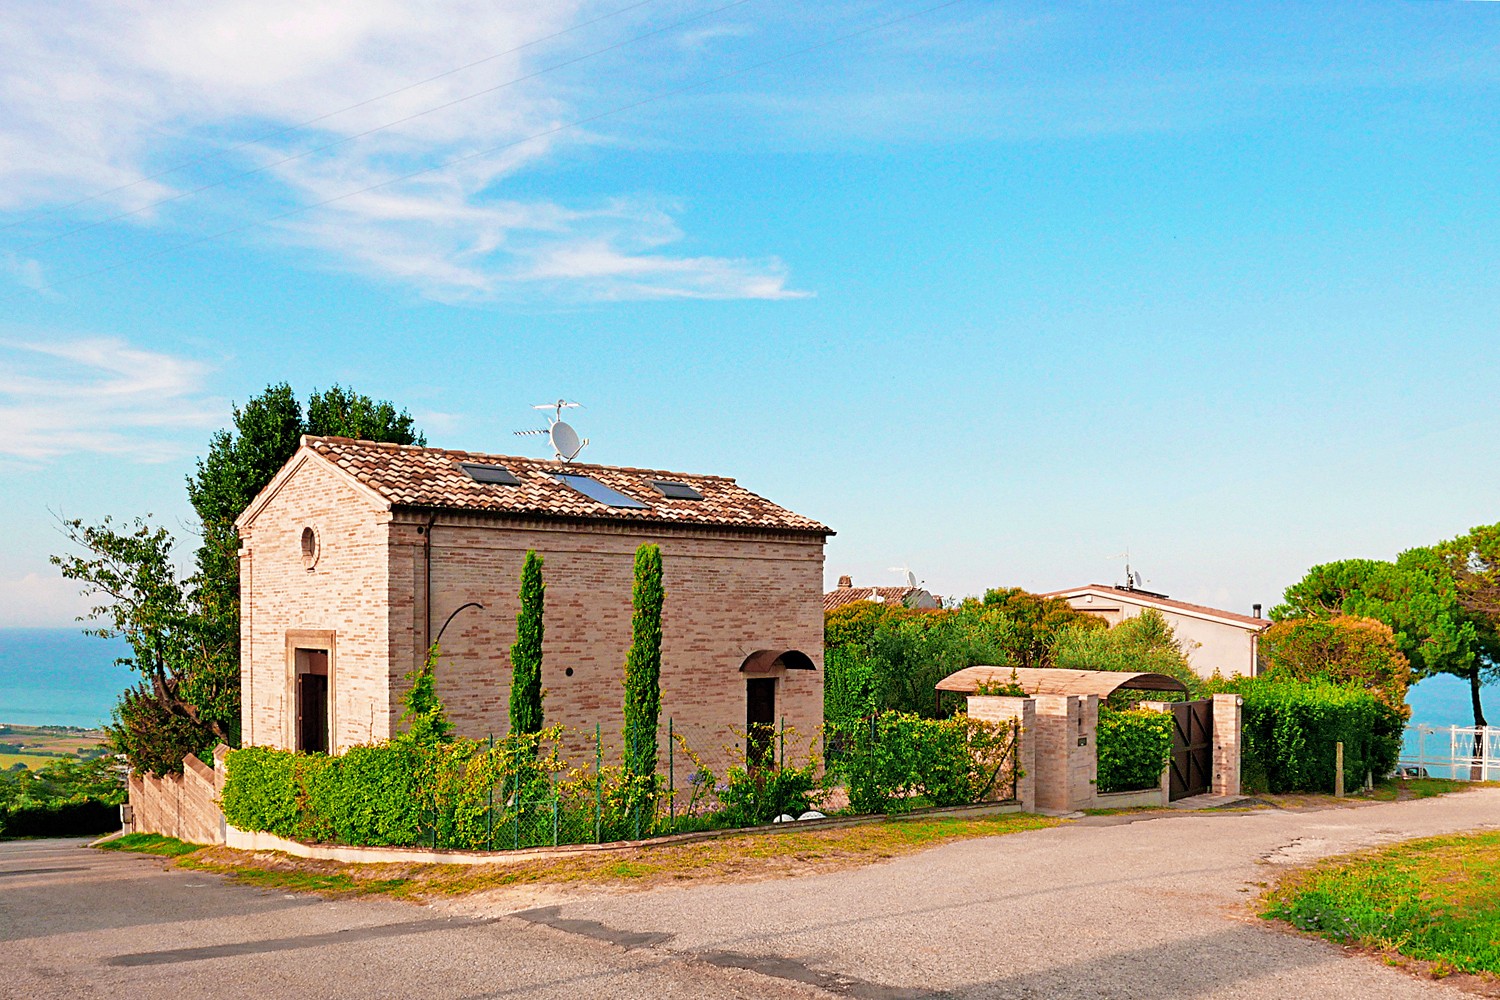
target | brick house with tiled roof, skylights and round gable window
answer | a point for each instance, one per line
(356, 555)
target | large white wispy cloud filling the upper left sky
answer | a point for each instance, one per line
(152, 83)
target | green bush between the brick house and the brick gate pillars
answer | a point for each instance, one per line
(898, 759)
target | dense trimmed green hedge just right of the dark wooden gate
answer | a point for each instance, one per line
(1291, 731)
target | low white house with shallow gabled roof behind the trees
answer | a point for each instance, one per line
(1213, 639)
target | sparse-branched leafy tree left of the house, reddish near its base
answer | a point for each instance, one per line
(190, 692)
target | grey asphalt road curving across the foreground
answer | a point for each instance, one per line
(1097, 909)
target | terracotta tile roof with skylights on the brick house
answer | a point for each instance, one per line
(409, 476)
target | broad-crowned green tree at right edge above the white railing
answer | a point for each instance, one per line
(1420, 599)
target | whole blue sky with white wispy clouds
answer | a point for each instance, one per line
(998, 292)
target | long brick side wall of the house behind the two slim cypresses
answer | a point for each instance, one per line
(727, 597)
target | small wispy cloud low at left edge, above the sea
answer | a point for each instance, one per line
(100, 397)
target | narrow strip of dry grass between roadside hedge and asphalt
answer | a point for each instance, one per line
(731, 858)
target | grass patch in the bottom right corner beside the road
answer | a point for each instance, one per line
(1433, 900)
